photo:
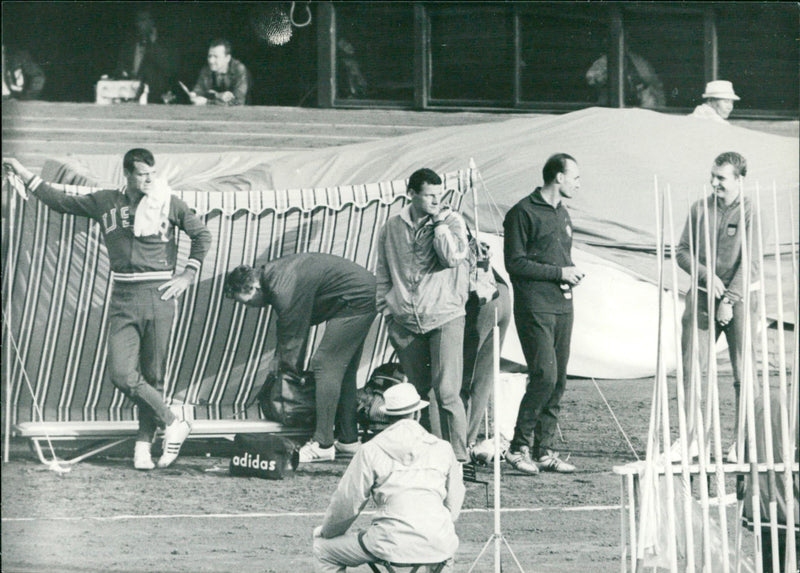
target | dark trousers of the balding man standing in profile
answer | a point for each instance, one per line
(545, 341)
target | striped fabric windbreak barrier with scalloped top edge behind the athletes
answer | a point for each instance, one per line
(56, 294)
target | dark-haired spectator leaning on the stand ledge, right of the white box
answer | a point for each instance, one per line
(224, 81)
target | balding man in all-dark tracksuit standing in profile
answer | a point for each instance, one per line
(537, 245)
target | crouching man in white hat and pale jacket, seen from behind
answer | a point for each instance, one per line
(416, 484)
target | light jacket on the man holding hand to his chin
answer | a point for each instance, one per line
(423, 273)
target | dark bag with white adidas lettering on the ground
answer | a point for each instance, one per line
(263, 455)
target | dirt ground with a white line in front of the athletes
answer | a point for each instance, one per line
(106, 516)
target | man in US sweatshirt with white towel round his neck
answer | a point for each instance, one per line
(139, 224)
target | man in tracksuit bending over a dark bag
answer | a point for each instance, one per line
(307, 289)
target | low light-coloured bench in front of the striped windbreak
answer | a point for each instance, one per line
(105, 435)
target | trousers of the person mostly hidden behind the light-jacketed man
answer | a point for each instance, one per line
(476, 384)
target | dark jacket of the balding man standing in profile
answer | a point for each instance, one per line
(537, 244)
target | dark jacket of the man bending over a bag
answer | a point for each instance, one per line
(310, 288)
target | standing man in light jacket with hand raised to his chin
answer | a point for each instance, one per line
(422, 290)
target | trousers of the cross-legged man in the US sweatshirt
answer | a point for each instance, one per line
(139, 327)
